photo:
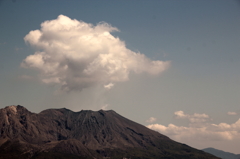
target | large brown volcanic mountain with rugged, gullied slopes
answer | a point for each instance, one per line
(62, 133)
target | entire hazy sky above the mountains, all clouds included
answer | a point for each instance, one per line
(171, 65)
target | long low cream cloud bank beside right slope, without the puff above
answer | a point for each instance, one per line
(213, 132)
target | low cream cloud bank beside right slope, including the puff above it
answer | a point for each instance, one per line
(206, 132)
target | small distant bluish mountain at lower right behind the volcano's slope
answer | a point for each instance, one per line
(222, 154)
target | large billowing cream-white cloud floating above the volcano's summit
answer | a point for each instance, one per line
(77, 55)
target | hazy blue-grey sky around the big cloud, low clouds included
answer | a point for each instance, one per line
(196, 93)
